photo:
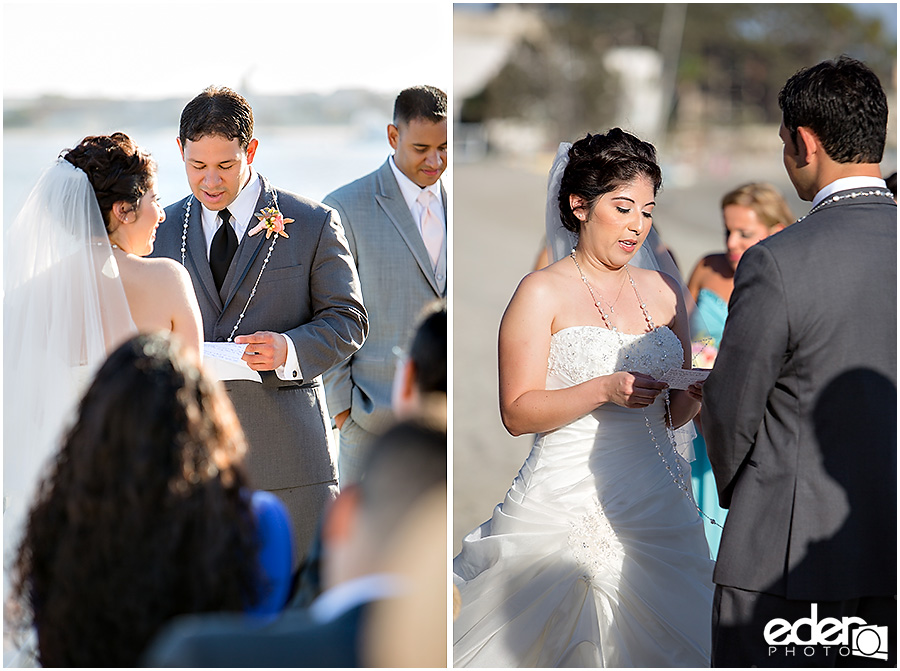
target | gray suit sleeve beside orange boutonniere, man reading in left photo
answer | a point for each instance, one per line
(340, 323)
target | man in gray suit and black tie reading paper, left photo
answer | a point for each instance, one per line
(295, 301)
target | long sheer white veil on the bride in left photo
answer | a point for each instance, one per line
(64, 308)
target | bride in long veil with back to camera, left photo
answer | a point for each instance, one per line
(76, 286)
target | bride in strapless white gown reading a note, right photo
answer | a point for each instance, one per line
(597, 555)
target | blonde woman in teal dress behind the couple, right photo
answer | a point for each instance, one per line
(750, 213)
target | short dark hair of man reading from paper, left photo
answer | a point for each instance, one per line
(217, 111)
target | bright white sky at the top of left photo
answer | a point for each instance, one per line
(150, 50)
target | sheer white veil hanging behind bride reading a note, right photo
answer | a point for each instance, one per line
(652, 255)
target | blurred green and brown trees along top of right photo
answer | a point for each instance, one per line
(735, 57)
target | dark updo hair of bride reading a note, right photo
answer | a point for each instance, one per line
(599, 164)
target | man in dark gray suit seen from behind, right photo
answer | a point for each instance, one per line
(800, 411)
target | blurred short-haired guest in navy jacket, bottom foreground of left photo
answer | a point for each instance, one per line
(384, 558)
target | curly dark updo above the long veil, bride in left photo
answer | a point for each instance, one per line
(117, 168)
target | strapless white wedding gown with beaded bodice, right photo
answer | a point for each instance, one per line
(595, 558)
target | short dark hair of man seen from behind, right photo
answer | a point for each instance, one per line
(843, 103)
